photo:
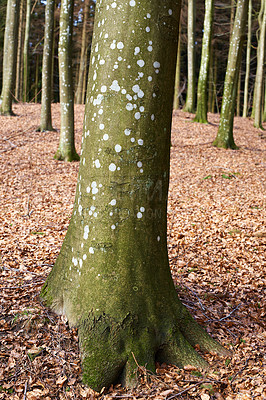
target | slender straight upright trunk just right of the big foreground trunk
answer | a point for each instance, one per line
(190, 99)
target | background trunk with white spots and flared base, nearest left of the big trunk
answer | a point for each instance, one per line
(66, 150)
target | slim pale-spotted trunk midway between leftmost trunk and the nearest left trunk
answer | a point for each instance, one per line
(47, 76)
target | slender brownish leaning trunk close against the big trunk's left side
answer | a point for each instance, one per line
(83, 61)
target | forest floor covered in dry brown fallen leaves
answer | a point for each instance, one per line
(216, 238)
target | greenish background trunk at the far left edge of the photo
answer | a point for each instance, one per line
(10, 56)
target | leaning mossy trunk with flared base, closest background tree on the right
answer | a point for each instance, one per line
(224, 136)
